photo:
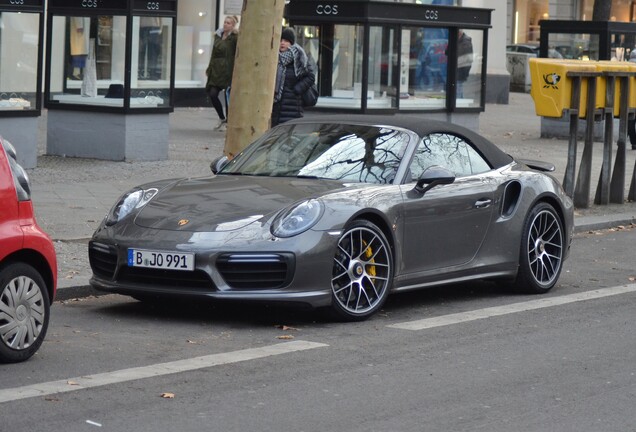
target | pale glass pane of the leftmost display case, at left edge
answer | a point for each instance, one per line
(19, 39)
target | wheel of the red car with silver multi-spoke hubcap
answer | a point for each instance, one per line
(24, 312)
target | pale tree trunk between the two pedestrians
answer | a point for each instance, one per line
(254, 74)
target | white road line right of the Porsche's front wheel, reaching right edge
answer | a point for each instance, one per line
(463, 317)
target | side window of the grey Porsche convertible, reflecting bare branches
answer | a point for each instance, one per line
(449, 151)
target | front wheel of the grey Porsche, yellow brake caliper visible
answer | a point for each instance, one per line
(362, 272)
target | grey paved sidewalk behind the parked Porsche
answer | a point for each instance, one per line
(71, 195)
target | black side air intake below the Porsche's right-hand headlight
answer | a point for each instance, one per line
(256, 271)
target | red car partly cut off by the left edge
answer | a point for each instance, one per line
(28, 265)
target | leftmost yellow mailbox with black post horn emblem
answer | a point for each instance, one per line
(551, 88)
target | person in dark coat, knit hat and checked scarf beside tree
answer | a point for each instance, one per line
(294, 76)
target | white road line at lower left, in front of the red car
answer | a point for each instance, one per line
(102, 379)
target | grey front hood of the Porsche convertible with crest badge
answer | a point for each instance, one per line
(226, 203)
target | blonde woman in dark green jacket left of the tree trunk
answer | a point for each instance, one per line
(221, 65)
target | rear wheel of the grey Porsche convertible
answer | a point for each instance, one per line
(542, 249)
